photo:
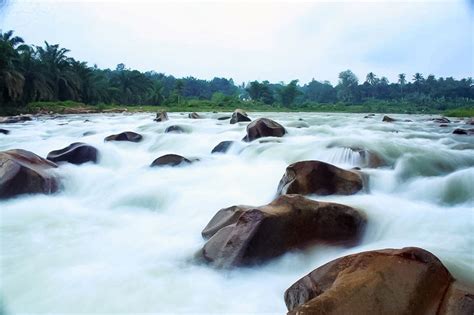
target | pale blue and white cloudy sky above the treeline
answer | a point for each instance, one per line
(256, 40)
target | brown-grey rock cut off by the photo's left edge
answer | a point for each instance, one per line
(23, 172)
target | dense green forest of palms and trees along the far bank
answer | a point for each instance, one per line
(48, 73)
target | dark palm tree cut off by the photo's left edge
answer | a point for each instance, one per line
(11, 80)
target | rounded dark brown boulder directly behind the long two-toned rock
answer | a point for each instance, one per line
(316, 177)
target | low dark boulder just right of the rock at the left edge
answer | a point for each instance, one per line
(76, 153)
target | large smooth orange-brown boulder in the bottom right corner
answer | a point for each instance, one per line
(390, 282)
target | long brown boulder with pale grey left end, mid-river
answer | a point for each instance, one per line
(244, 235)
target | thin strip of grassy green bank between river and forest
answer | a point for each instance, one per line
(69, 107)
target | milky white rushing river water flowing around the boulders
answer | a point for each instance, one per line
(120, 236)
